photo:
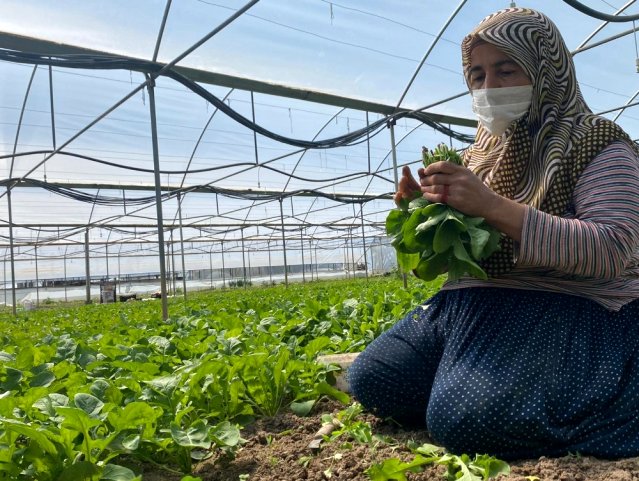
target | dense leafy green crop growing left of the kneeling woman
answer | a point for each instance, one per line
(85, 391)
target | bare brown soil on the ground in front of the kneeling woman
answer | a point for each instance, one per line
(277, 449)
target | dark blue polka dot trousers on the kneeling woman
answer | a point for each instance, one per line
(512, 373)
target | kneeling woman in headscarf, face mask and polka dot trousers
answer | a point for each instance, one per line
(543, 357)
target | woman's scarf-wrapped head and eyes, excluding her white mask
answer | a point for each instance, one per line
(531, 50)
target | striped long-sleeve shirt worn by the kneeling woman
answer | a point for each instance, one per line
(593, 250)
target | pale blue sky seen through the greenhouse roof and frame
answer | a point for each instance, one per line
(354, 48)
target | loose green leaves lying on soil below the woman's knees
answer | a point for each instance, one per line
(458, 468)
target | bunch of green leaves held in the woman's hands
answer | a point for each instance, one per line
(433, 238)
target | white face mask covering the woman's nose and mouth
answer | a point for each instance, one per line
(497, 108)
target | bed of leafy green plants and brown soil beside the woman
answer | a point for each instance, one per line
(111, 391)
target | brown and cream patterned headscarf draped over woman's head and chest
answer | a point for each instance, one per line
(538, 160)
